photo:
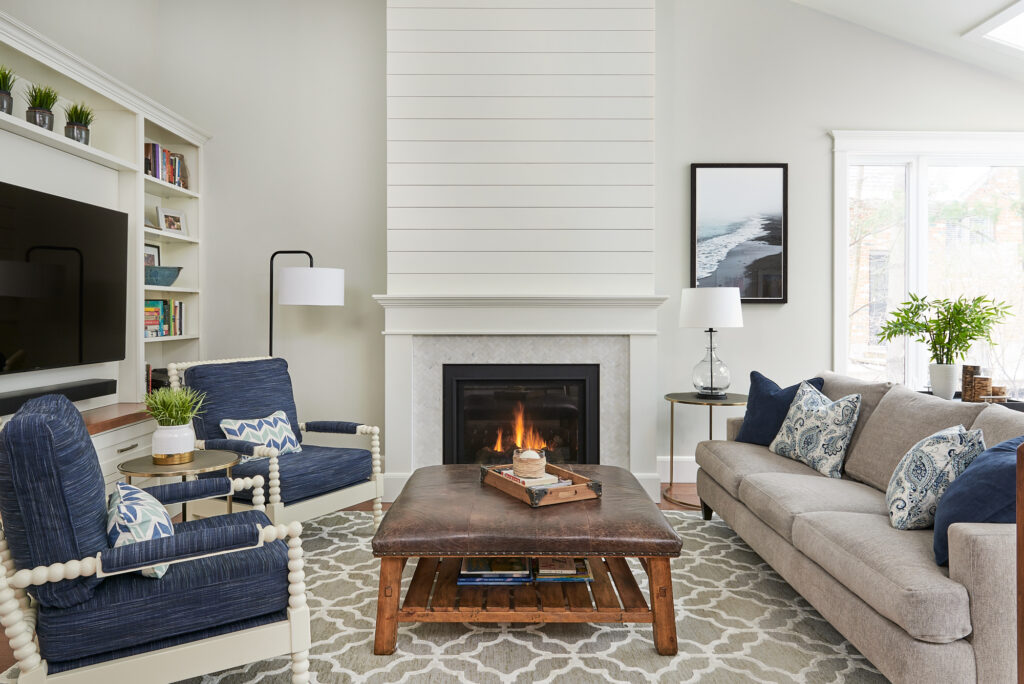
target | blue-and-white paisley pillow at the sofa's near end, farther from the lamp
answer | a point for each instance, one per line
(925, 474)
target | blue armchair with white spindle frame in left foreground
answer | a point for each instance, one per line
(73, 606)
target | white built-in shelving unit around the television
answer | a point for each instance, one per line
(125, 121)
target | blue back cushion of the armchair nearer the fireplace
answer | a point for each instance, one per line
(241, 391)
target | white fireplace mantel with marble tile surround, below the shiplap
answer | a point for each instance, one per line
(425, 333)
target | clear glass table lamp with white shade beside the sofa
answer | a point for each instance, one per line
(710, 309)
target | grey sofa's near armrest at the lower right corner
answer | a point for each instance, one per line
(984, 559)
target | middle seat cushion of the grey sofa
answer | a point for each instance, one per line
(779, 498)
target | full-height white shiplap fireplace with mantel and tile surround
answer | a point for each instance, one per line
(521, 209)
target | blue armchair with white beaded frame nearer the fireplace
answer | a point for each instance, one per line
(302, 485)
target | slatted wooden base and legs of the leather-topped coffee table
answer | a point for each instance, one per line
(615, 596)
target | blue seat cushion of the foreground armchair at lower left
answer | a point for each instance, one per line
(130, 611)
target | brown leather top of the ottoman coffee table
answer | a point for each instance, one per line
(447, 511)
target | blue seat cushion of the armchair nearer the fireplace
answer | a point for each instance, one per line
(315, 472)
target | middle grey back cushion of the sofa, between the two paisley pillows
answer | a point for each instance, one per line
(903, 418)
